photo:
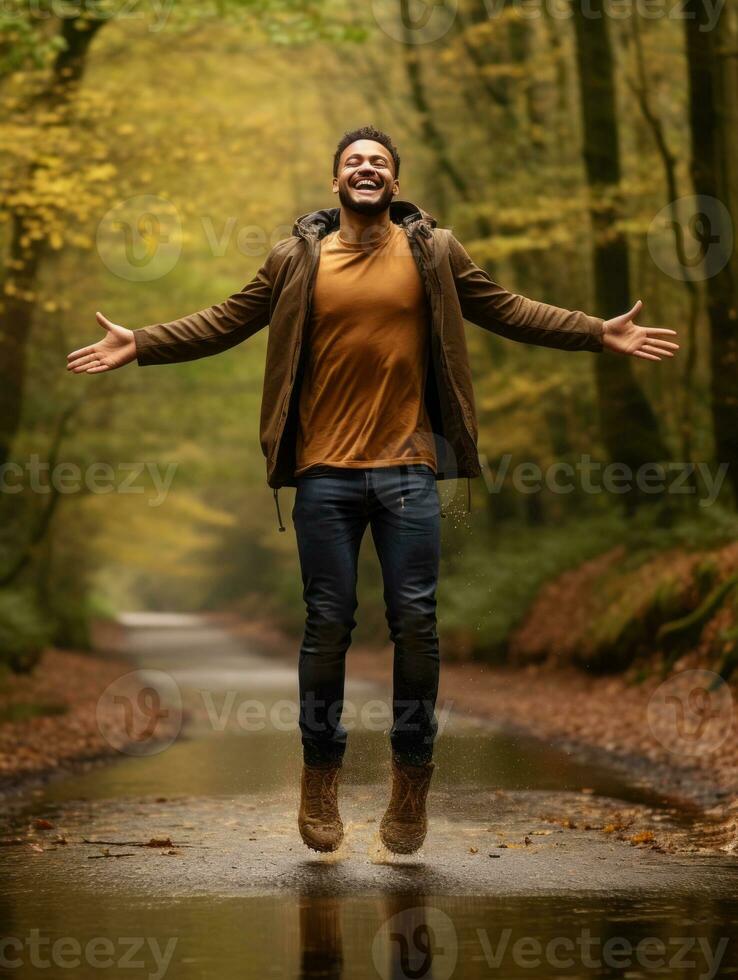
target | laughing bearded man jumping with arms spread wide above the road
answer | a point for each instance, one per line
(367, 403)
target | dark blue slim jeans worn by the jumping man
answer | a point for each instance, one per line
(333, 507)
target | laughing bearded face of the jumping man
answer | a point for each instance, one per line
(365, 181)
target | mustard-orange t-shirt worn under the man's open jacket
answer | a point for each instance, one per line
(362, 394)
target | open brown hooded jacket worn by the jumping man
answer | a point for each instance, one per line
(280, 293)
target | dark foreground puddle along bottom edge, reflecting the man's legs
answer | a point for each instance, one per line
(393, 937)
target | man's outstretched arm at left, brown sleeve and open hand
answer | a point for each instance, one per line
(201, 334)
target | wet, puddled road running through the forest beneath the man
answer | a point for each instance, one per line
(531, 867)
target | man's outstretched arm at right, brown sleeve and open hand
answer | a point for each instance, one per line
(492, 307)
